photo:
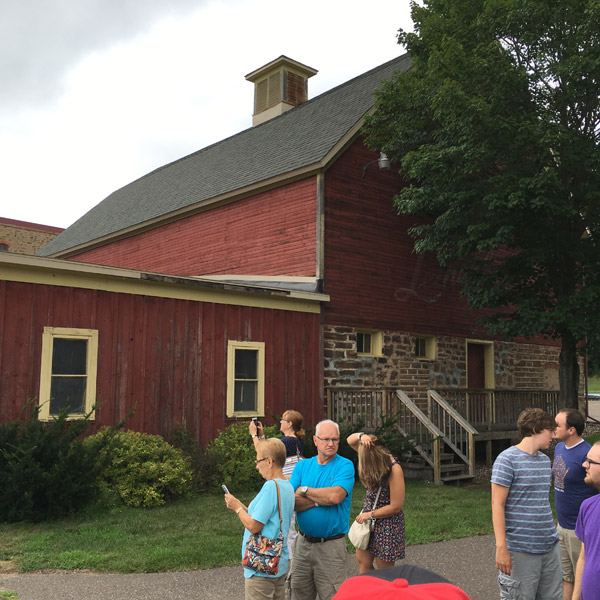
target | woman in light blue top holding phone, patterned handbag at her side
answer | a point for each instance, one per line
(262, 515)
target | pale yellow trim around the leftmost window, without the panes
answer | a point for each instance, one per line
(91, 335)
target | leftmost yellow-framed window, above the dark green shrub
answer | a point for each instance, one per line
(68, 372)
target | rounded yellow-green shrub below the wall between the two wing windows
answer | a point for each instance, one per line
(143, 469)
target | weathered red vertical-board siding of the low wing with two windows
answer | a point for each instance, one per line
(165, 358)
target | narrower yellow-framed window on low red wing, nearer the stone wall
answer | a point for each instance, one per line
(245, 379)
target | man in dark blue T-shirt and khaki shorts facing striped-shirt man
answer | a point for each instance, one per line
(570, 489)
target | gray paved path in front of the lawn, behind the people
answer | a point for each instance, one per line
(469, 563)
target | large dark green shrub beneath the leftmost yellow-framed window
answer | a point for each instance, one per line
(46, 471)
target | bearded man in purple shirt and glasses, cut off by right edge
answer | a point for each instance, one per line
(587, 575)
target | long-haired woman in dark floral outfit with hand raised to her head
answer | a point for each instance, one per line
(378, 468)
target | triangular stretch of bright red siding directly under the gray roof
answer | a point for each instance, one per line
(272, 233)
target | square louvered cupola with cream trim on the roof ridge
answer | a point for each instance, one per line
(279, 86)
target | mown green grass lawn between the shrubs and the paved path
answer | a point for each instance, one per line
(201, 533)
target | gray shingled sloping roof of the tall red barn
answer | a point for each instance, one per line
(300, 137)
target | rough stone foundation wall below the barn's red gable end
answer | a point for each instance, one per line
(516, 365)
